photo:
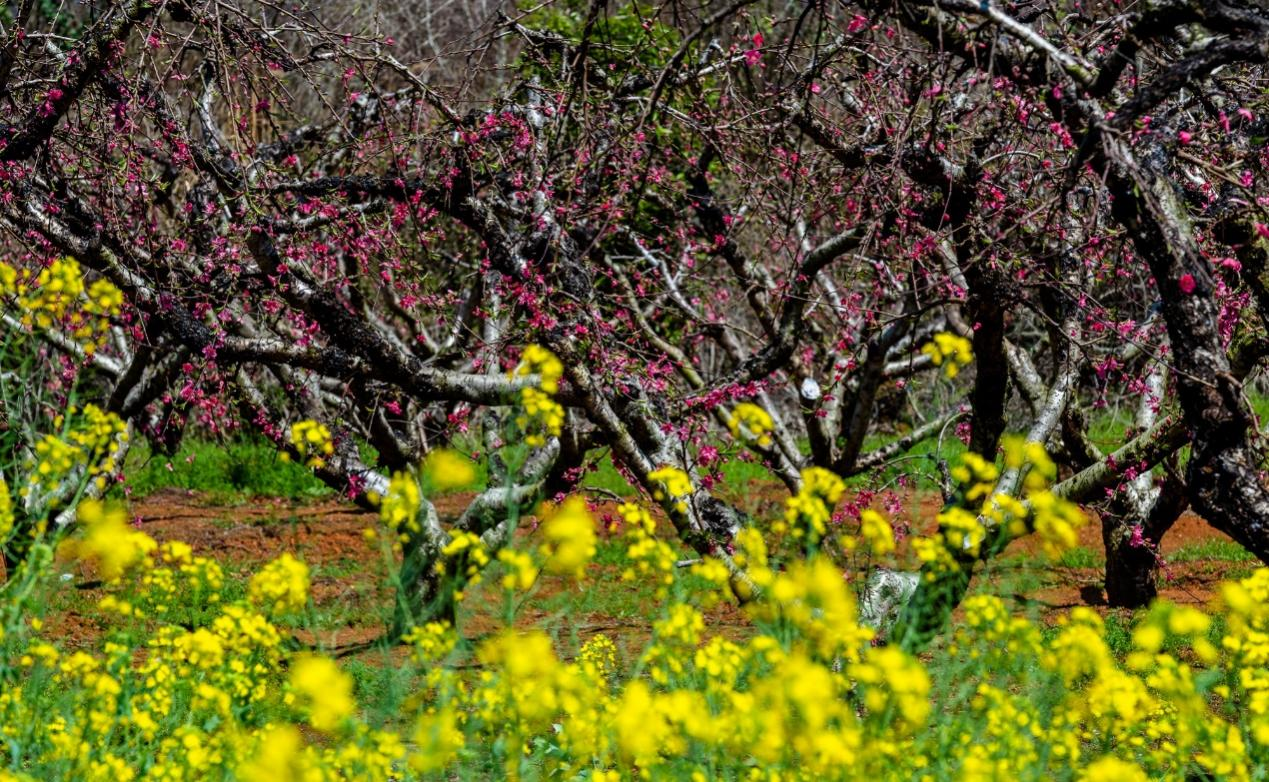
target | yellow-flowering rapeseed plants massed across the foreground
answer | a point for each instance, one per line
(190, 682)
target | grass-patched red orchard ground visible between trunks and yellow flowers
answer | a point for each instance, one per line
(352, 599)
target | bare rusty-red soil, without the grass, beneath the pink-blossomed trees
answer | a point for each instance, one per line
(331, 534)
